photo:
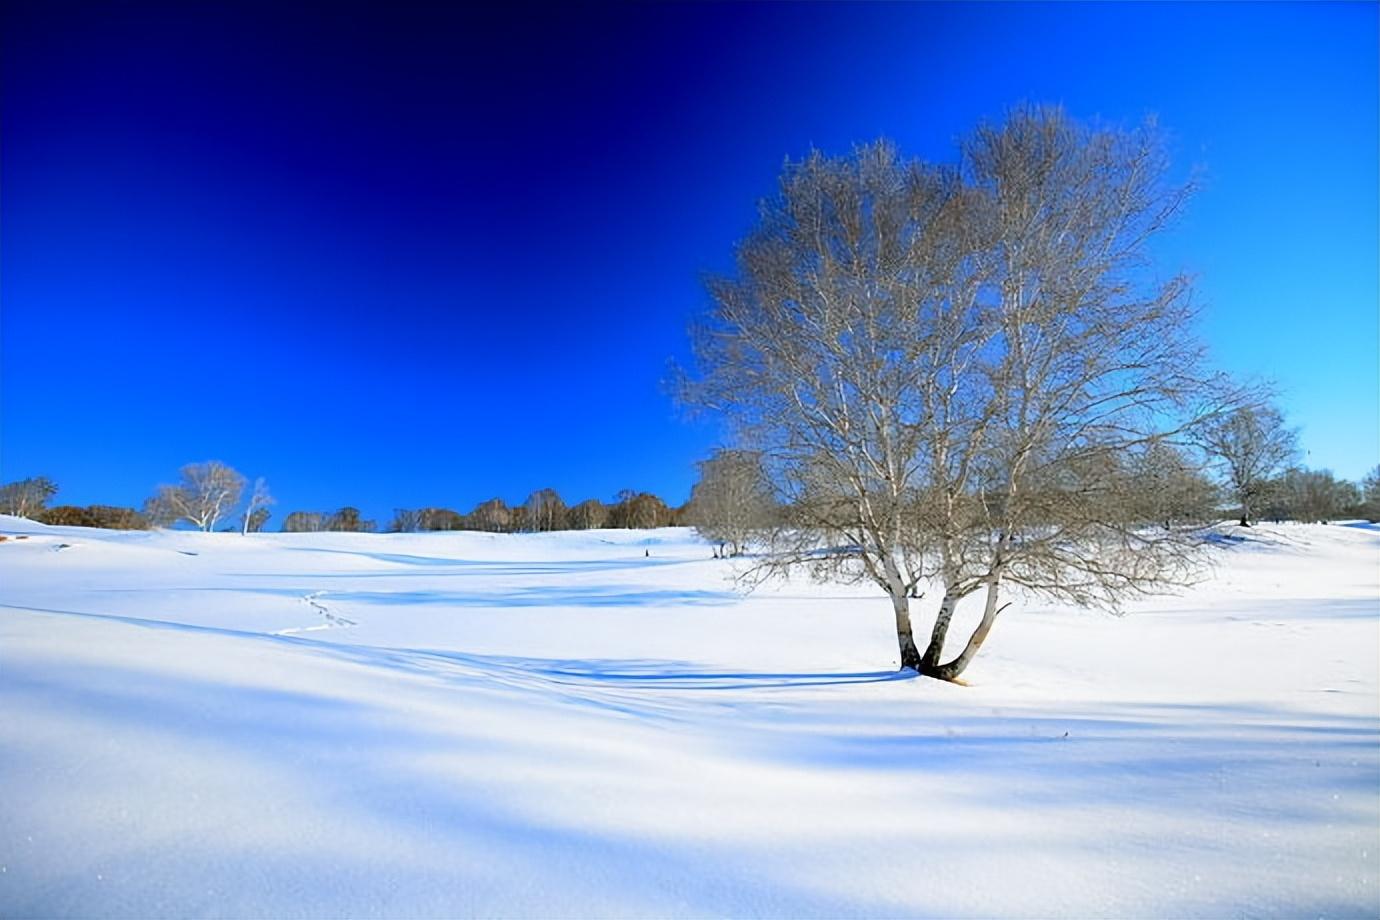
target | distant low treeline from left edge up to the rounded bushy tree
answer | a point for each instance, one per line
(215, 496)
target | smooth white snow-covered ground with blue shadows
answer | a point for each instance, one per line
(601, 725)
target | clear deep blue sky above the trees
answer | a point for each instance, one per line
(395, 257)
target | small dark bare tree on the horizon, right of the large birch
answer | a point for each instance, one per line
(1251, 448)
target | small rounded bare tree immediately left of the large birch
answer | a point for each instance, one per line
(732, 501)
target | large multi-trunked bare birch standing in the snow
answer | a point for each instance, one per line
(946, 368)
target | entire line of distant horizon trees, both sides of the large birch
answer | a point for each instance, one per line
(1244, 464)
